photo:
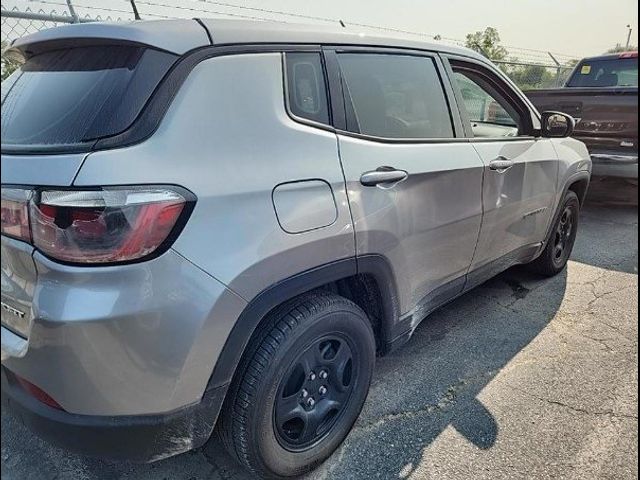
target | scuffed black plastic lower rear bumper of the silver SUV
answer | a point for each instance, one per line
(142, 438)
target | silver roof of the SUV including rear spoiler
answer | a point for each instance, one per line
(181, 36)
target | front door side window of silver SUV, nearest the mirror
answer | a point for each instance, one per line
(490, 113)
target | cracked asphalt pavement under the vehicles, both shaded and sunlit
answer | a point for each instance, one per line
(521, 378)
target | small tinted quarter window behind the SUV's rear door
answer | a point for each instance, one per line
(306, 87)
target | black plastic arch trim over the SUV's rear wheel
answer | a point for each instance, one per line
(375, 265)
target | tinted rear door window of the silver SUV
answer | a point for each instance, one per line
(395, 96)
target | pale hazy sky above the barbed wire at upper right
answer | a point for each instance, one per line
(574, 27)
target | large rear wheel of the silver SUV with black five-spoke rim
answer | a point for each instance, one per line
(282, 416)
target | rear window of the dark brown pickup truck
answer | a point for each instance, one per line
(614, 72)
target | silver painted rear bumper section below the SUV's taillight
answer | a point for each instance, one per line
(139, 339)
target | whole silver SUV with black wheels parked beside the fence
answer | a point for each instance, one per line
(214, 224)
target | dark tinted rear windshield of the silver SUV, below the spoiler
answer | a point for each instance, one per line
(75, 96)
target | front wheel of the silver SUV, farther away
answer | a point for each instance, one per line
(556, 254)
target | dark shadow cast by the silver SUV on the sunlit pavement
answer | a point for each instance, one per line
(433, 383)
